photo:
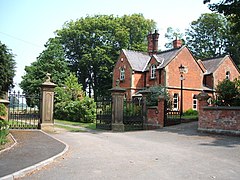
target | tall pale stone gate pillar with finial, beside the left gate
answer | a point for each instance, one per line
(47, 102)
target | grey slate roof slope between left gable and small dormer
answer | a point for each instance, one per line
(137, 60)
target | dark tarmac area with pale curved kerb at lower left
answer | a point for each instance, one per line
(33, 147)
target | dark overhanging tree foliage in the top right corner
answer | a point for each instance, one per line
(231, 10)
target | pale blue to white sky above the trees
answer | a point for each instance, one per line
(26, 25)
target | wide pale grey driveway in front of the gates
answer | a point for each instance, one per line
(177, 152)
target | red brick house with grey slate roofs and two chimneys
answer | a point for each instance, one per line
(138, 70)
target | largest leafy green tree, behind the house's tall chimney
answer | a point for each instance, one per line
(92, 46)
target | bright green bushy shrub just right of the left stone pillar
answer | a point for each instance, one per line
(72, 104)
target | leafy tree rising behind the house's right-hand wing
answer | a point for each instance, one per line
(208, 35)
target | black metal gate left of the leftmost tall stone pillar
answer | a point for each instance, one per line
(24, 111)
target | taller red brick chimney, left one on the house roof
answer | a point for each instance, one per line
(153, 42)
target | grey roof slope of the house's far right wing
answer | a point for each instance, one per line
(211, 64)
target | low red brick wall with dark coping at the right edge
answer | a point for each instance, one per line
(224, 120)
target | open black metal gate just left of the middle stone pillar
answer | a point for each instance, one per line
(104, 113)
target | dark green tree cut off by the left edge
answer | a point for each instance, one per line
(7, 70)
